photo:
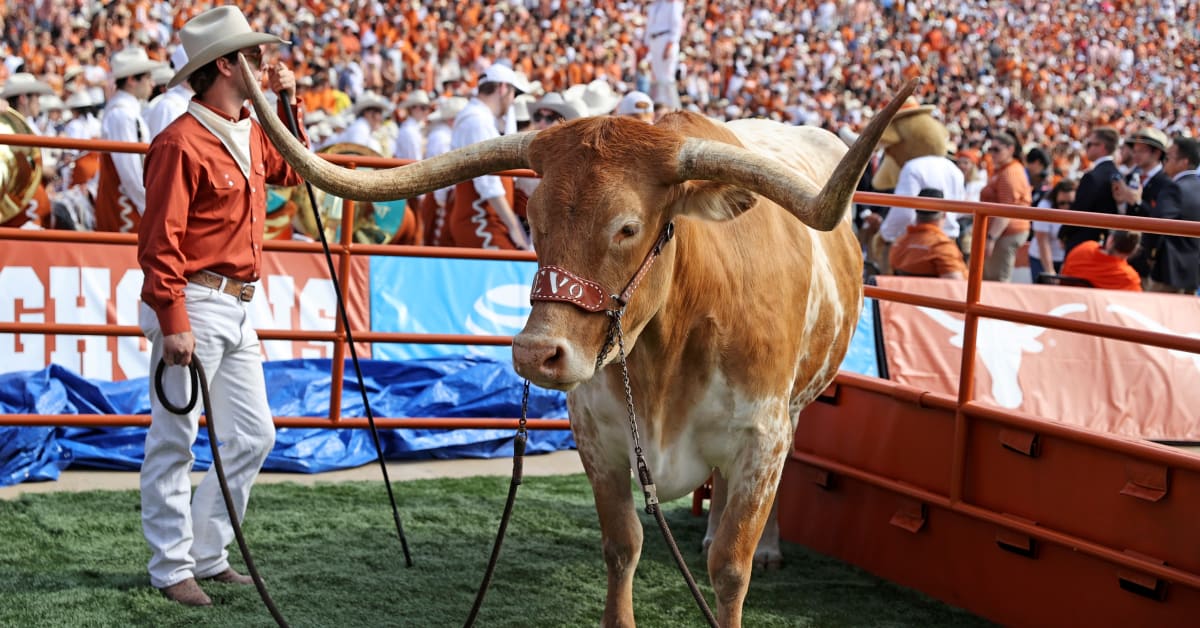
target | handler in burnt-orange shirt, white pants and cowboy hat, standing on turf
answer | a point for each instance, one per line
(201, 248)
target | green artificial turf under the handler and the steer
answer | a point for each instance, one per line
(332, 559)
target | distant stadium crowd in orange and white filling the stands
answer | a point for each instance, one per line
(1046, 73)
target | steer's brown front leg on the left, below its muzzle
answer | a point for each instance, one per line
(621, 533)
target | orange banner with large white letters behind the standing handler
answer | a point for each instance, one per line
(95, 284)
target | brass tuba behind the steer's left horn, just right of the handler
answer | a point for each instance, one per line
(289, 211)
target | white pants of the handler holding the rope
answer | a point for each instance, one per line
(189, 537)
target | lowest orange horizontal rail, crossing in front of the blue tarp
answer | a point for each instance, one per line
(428, 423)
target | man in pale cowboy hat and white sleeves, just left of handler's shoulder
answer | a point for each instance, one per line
(122, 194)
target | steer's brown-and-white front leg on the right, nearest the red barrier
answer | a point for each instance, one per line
(752, 483)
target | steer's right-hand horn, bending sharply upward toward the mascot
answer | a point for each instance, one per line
(716, 162)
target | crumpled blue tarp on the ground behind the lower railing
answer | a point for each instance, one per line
(442, 387)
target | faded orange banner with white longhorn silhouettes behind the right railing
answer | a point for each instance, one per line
(1103, 385)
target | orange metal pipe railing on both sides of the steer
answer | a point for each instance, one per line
(346, 249)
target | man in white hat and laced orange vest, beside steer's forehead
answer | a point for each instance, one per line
(483, 216)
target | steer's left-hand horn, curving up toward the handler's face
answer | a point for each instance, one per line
(477, 160)
